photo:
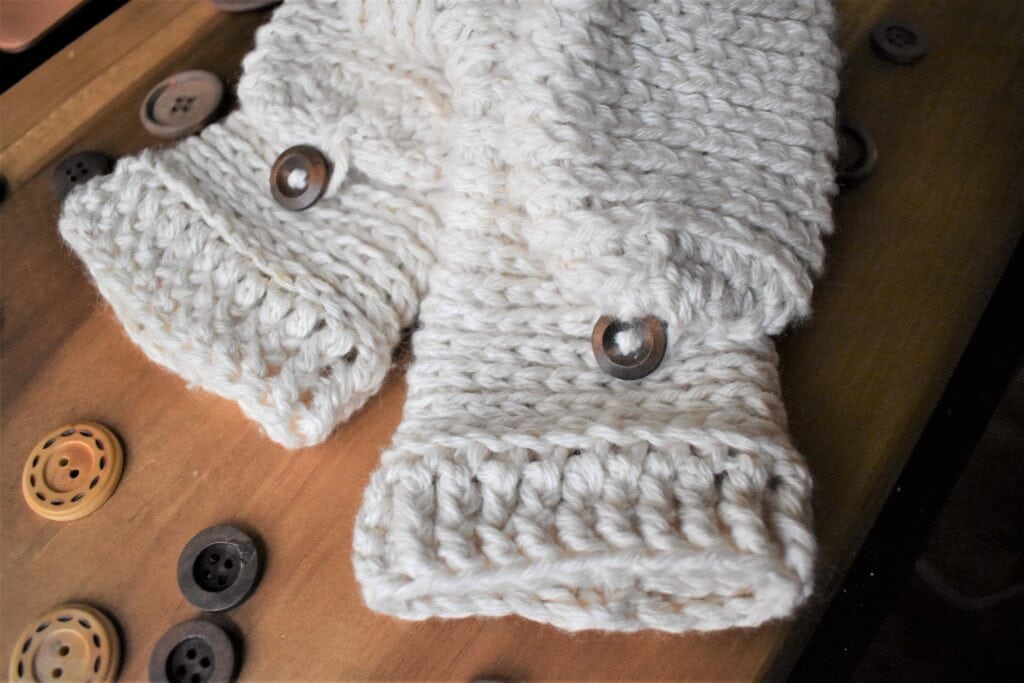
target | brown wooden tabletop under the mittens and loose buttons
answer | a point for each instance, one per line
(919, 249)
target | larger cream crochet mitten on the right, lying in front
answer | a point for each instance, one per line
(666, 162)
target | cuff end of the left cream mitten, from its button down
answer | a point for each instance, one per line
(293, 316)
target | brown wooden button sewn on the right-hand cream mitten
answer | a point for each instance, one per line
(629, 350)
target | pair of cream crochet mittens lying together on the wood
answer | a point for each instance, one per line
(599, 209)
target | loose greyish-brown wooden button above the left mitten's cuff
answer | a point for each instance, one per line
(183, 104)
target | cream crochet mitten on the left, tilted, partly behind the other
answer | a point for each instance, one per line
(291, 314)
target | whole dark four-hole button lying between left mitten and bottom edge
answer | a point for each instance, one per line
(219, 569)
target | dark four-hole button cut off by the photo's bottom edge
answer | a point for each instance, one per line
(195, 652)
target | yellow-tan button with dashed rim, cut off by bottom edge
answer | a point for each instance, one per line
(70, 644)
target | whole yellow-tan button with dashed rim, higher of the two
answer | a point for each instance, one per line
(72, 472)
